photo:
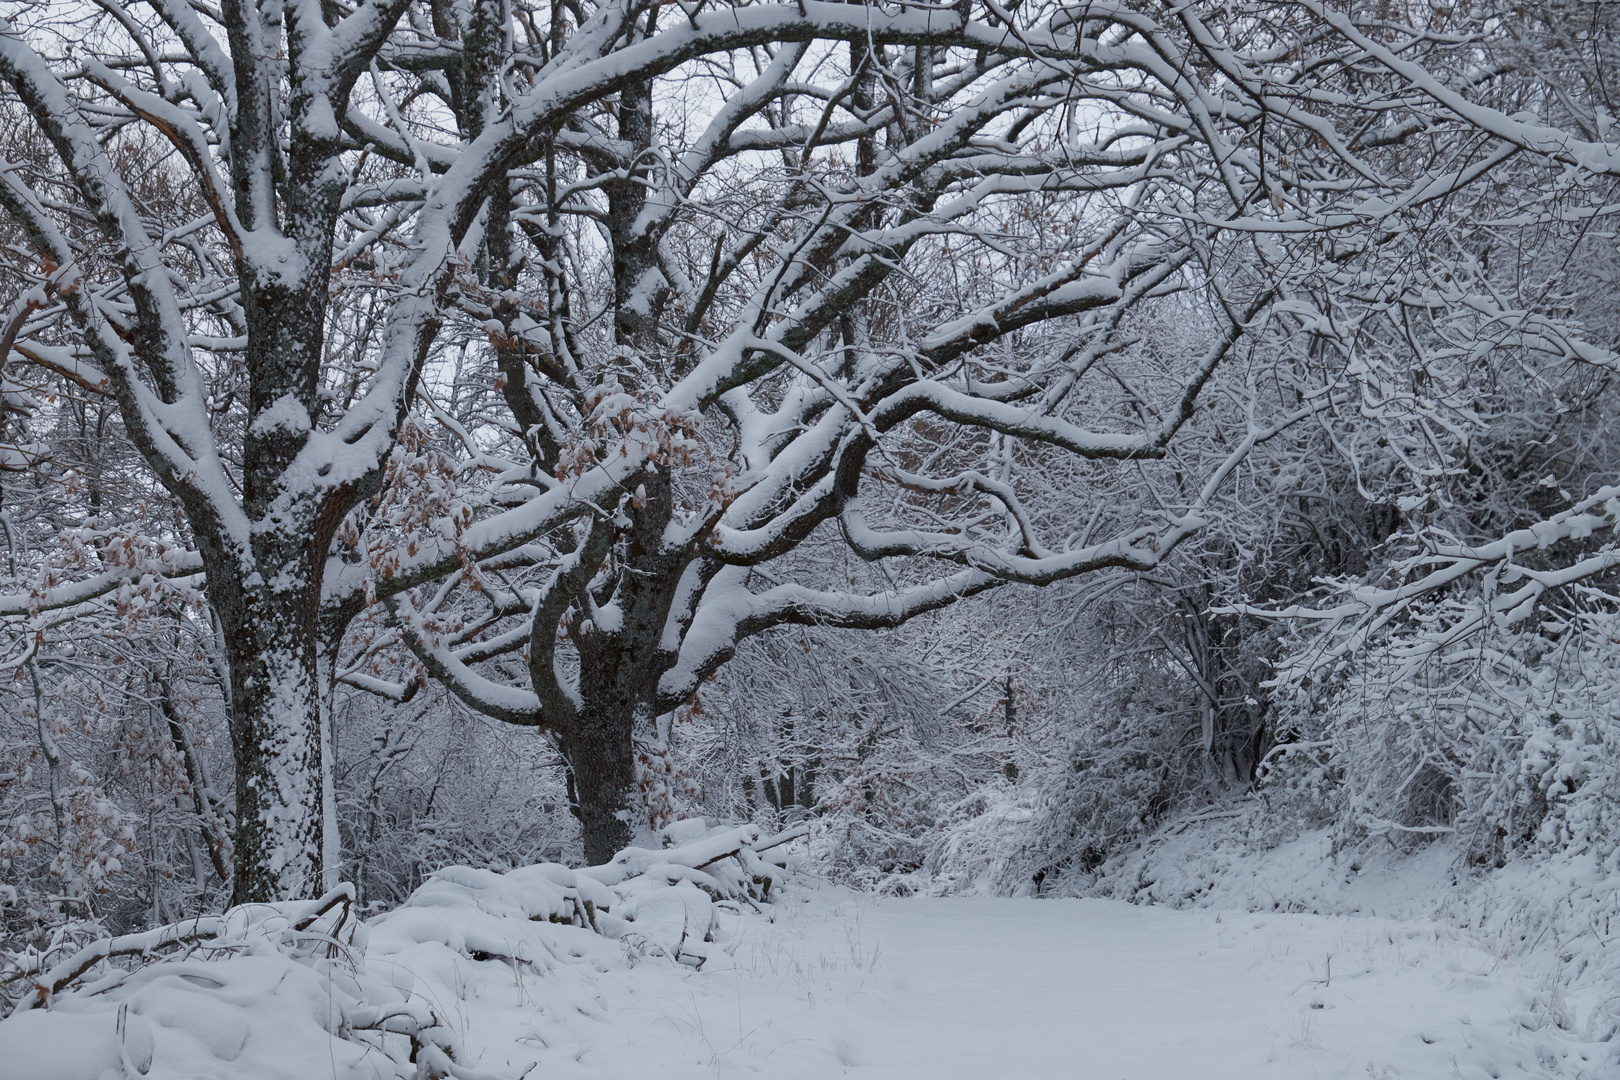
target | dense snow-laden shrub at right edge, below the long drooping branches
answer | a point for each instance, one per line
(1509, 741)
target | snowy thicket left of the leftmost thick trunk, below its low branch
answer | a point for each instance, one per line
(109, 742)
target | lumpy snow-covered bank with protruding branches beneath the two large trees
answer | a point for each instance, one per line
(288, 992)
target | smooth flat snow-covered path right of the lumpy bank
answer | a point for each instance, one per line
(989, 989)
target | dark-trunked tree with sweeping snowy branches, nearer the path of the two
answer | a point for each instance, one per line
(806, 346)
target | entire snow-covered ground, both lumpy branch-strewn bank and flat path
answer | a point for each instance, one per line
(607, 974)
